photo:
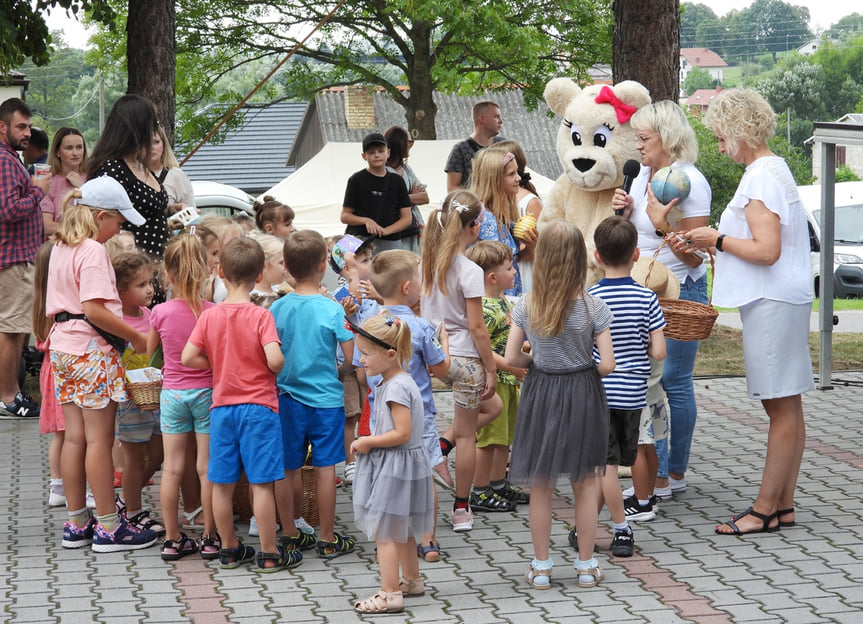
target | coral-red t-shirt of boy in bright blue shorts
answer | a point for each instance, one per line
(232, 336)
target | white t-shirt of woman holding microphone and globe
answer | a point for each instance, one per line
(696, 205)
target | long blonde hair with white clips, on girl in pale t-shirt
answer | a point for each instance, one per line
(460, 209)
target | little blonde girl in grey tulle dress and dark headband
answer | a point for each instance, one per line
(392, 491)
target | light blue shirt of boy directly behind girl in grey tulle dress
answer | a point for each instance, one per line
(426, 351)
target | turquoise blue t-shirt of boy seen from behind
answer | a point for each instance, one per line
(310, 328)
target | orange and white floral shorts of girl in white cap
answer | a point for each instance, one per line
(90, 381)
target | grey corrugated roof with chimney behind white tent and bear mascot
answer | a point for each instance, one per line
(535, 130)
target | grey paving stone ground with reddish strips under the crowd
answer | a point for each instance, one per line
(682, 571)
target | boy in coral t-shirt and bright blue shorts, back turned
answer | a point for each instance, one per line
(238, 340)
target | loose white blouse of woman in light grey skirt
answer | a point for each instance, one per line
(738, 282)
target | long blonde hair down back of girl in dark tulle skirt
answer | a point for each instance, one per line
(559, 274)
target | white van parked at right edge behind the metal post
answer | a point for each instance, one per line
(848, 237)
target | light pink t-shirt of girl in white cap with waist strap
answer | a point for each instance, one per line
(76, 274)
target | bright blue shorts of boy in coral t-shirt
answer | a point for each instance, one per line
(245, 437)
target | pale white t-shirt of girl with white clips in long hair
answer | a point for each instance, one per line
(464, 280)
